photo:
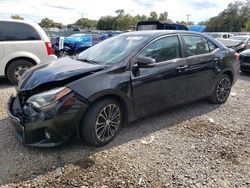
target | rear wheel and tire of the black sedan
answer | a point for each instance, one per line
(222, 90)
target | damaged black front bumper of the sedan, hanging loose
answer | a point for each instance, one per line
(50, 128)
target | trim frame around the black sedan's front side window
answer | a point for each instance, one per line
(133, 59)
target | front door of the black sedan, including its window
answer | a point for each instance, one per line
(165, 84)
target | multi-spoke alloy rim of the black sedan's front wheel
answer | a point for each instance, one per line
(108, 122)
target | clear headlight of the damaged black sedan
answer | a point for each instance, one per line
(48, 97)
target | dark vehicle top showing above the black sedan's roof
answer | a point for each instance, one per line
(159, 25)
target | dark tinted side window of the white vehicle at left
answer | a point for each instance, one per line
(11, 31)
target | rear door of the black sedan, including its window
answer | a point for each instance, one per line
(201, 61)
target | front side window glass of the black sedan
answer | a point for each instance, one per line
(163, 49)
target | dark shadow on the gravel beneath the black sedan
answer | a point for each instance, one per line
(39, 161)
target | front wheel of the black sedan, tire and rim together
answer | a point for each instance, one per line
(89, 127)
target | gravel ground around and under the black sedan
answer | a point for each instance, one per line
(182, 147)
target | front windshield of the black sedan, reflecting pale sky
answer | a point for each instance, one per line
(113, 50)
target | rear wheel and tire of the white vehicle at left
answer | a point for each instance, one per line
(16, 69)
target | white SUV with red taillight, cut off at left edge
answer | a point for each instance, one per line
(22, 45)
